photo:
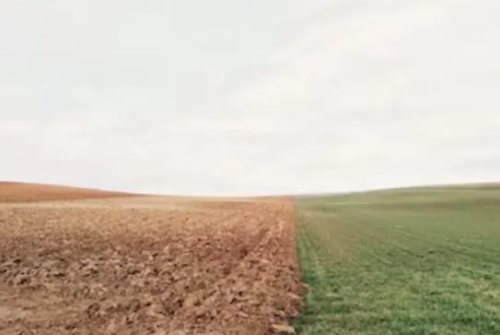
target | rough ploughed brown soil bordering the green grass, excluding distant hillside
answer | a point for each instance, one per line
(148, 265)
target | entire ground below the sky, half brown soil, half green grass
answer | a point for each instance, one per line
(401, 262)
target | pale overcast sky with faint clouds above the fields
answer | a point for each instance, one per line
(227, 97)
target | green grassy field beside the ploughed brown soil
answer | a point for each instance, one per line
(421, 261)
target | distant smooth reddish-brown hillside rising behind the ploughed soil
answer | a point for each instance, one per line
(11, 192)
